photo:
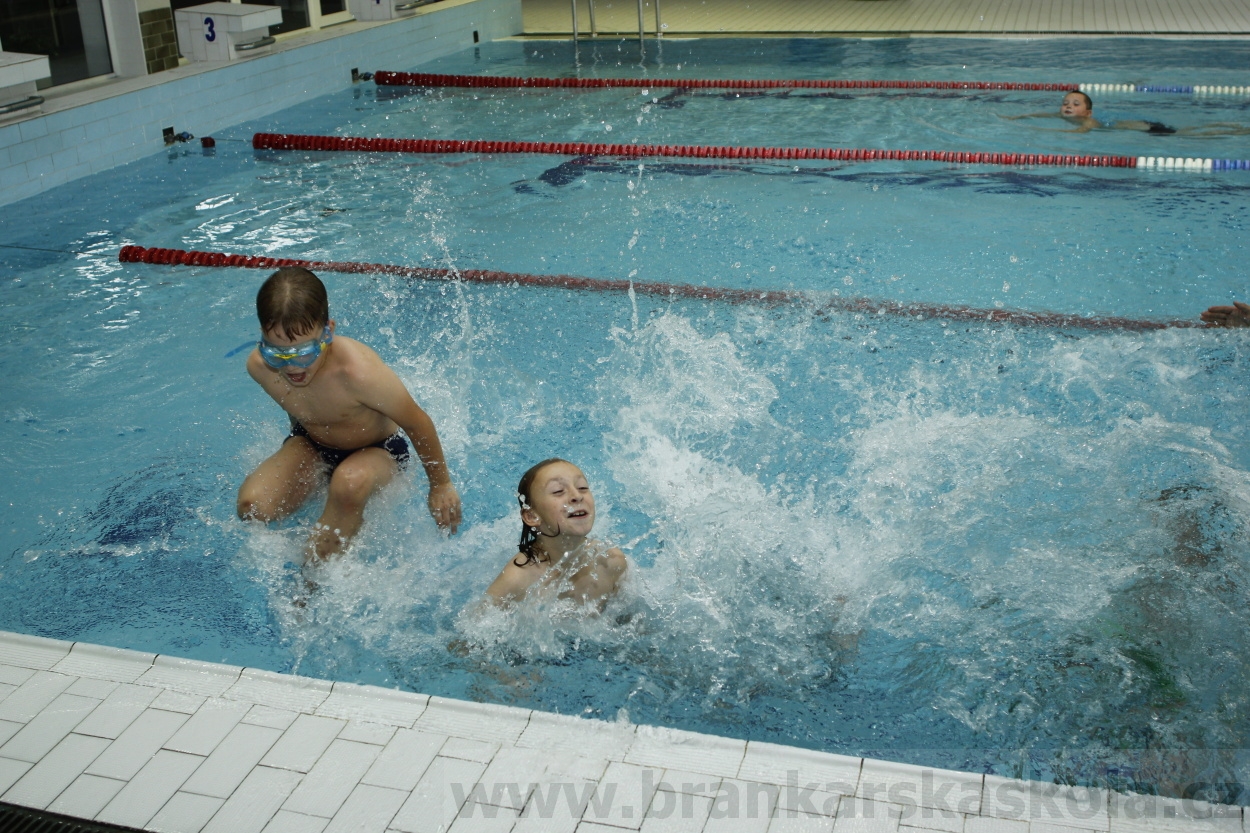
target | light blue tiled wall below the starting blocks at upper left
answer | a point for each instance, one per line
(98, 129)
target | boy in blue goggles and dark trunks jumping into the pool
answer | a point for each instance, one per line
(347, 410)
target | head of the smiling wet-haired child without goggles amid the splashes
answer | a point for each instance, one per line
(556, 500)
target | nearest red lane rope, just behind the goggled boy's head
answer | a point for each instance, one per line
(818, 305)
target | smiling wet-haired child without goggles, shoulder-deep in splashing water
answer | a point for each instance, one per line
(558, 513)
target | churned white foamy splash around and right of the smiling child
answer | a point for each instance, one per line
(992, 542)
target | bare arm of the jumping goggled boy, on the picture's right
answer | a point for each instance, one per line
(388, 396)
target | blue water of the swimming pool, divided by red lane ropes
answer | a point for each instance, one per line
(983, 547)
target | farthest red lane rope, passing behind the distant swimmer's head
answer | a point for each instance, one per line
(387, 78)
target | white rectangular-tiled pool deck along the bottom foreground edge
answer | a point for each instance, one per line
(181, 746)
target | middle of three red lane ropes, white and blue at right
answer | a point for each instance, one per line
(361, 144)
